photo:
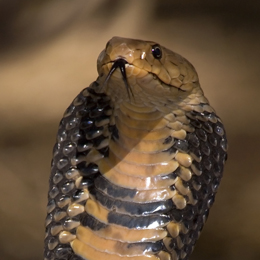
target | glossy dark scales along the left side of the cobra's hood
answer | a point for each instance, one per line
(74, 140)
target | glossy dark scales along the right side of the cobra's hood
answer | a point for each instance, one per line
(206, 144)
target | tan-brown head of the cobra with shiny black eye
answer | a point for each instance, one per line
(148, 67)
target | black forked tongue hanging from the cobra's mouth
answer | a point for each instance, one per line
(120, 63)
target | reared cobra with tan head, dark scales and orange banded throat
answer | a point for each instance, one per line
(138, 160)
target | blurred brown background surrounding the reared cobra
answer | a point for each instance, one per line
(48, 52)
